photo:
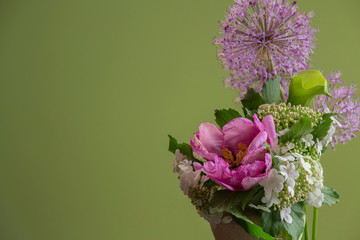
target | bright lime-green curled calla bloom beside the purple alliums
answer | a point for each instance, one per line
(305, 85)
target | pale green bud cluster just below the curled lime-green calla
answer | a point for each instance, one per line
(286, 115)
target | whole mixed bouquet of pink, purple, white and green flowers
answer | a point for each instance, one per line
(253, 174)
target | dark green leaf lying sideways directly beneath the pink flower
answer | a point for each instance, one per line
(226, 199)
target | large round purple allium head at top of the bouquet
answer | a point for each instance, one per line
(261, 38)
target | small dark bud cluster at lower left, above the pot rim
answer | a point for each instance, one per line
(200, 197)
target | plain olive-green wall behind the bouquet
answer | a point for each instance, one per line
(89, 91)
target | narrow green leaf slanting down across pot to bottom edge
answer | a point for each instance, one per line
(250, 227)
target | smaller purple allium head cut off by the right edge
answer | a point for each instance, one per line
(345, 103)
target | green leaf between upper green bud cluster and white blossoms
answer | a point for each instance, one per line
(298, 130)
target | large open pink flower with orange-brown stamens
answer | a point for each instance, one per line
(237, 157)
